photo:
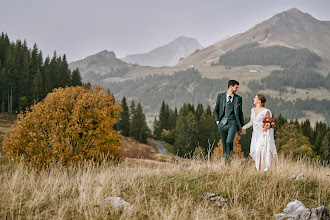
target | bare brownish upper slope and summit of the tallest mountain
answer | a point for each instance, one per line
(291, 28)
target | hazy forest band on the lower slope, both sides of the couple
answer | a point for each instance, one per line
(190, 87)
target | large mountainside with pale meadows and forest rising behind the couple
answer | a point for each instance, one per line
(278, 37)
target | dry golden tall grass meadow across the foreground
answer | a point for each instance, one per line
(159, 190)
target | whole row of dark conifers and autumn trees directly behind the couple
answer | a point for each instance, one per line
(193, 127)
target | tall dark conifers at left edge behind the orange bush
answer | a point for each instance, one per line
(26, 77)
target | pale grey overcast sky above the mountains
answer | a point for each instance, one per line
(79, 28)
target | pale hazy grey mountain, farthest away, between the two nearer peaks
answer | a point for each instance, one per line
(167, 55)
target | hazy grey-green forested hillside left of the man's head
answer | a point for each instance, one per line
(182, 86)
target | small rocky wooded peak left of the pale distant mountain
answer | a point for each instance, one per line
(102, 65)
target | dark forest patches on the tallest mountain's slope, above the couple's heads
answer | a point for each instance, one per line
(299, 65)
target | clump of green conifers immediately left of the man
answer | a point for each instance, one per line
(187, 129)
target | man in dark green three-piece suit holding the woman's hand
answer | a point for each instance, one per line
(229, 118)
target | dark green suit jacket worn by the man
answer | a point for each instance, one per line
(220, 106)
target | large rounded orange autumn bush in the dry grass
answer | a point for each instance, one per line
(70, 125)
